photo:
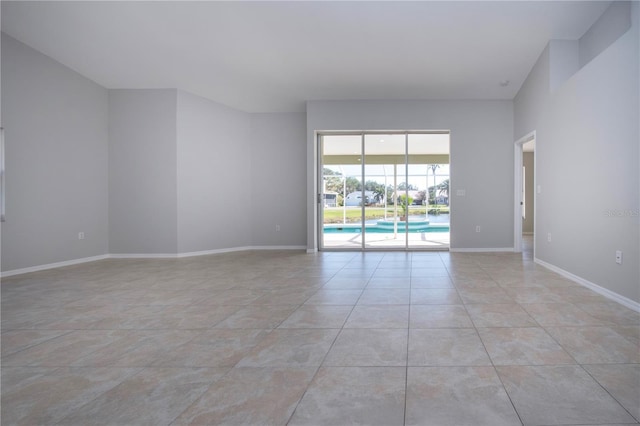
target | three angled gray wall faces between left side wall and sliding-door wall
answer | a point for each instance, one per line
(208, 176)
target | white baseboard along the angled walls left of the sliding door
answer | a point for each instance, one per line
(142, 256)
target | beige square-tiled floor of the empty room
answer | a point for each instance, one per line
(281, 337)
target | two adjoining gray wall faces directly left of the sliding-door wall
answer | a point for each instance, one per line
(239, 175)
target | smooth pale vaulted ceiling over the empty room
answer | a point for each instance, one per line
(274, 56)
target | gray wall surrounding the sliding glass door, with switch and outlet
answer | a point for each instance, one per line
(482, 148)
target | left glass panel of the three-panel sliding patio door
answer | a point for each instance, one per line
(342, 191)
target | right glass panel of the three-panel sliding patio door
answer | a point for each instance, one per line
(428, 172)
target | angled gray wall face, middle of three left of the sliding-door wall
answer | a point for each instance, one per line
(214, 175)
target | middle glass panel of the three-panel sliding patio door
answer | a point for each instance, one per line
(384, 175)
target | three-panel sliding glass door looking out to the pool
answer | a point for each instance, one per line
(384, 190)
